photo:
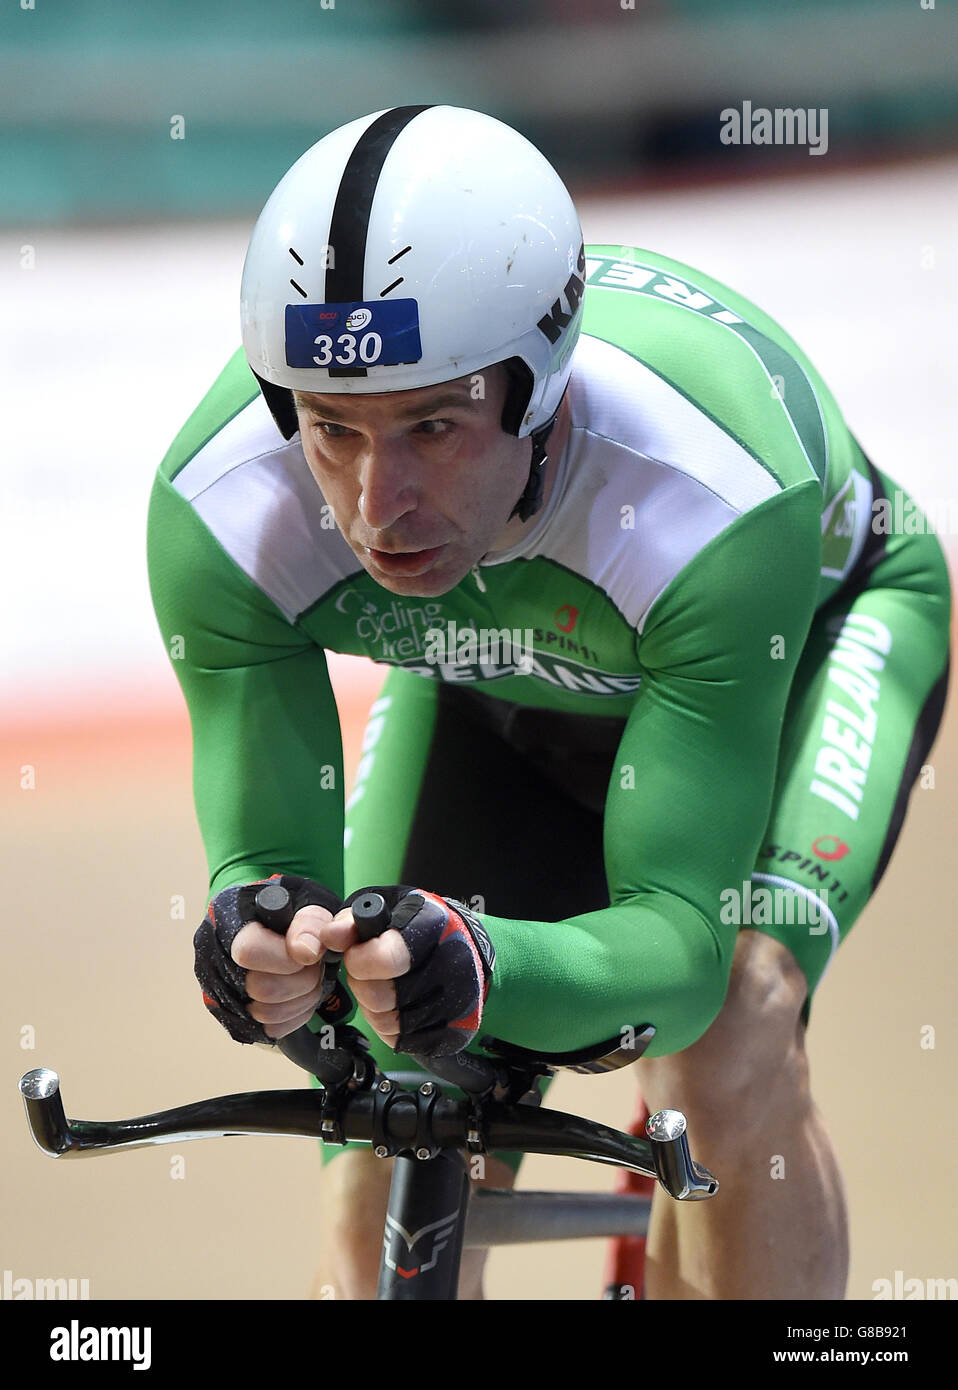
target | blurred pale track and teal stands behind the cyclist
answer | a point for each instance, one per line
(138, 145)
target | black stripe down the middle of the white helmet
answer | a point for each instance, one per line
(351, 212)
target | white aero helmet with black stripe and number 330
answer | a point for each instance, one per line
(414, 247)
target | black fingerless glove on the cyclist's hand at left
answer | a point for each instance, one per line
(225, 982)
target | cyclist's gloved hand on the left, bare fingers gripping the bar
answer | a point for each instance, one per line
(259, 985)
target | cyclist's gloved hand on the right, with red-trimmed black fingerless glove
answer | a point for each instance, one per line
(422, 986)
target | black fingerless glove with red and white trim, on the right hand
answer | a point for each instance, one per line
(441, 997)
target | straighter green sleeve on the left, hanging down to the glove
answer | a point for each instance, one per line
(268, 749)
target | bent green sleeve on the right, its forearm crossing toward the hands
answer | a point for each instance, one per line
(718, 655)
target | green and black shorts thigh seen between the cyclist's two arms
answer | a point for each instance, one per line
(451, 804)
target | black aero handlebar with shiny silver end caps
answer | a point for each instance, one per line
(359, 1103)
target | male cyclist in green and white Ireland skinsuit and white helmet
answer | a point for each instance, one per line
(668, 792)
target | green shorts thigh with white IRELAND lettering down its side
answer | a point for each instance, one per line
(864, 711)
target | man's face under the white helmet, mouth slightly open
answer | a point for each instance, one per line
(429, 473)
